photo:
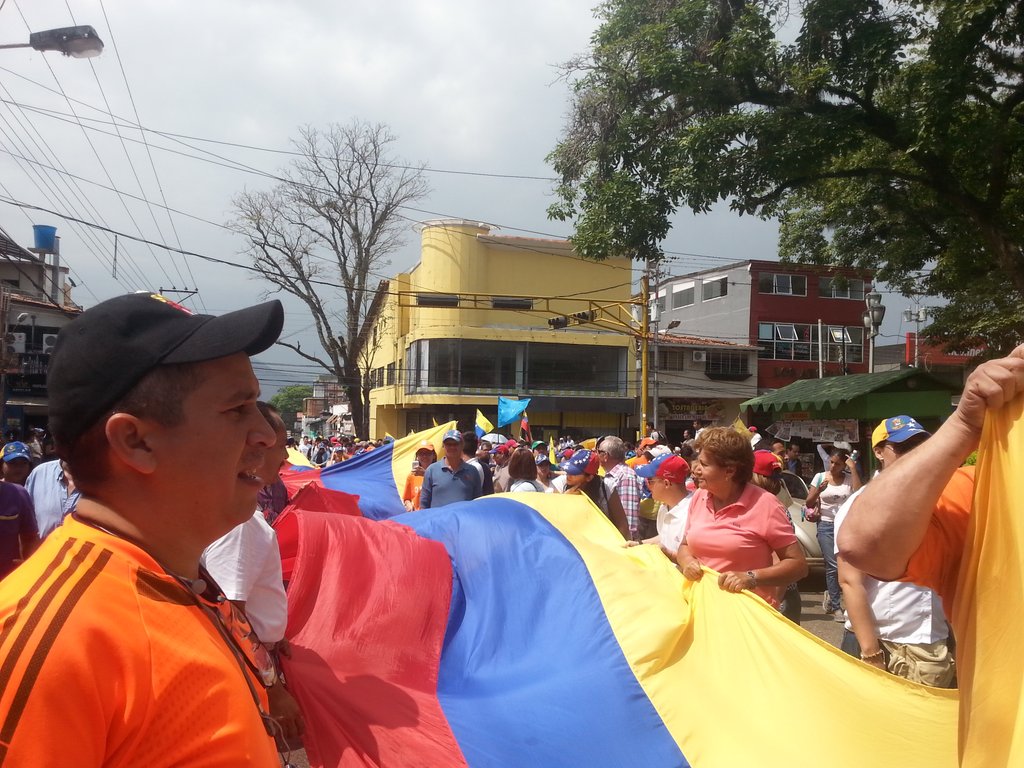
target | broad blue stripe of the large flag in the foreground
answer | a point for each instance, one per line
(533, 639)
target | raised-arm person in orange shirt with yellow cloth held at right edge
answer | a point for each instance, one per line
(913, 524)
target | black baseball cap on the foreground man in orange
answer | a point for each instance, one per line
(108, 350)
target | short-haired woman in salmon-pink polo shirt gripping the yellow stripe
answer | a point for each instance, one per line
(736, 527)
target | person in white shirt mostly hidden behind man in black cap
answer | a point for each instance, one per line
(246, 565)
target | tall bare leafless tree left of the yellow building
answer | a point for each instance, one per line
(322, 234)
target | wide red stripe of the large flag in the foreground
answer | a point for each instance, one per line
(381, 594)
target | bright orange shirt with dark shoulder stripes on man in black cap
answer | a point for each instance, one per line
(108, 662)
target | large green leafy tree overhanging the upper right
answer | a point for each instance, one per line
(885, 136)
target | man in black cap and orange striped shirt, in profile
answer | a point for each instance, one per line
(117, 647)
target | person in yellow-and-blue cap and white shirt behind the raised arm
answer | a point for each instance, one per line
(895, 626)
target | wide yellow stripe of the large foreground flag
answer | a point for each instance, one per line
(737, 685)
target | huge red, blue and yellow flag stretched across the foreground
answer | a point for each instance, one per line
(518, 630)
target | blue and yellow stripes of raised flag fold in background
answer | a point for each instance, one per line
(378, 477)
